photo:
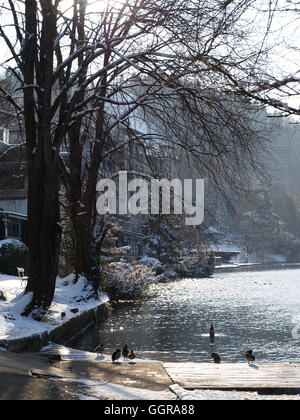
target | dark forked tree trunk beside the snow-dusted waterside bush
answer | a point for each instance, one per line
(81, 196)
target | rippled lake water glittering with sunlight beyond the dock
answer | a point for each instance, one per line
(249, 309)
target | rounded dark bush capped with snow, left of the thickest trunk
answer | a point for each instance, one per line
(13, 254)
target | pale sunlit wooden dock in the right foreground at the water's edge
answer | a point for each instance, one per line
(235, 376)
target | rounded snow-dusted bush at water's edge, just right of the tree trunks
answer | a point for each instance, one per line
(128, 281)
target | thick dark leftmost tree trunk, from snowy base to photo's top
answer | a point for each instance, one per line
(42, 157)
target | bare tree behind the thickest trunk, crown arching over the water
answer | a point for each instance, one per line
(153, 54)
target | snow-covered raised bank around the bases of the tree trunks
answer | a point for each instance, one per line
(68, 296)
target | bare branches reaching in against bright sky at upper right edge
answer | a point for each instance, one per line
(277, 83)
